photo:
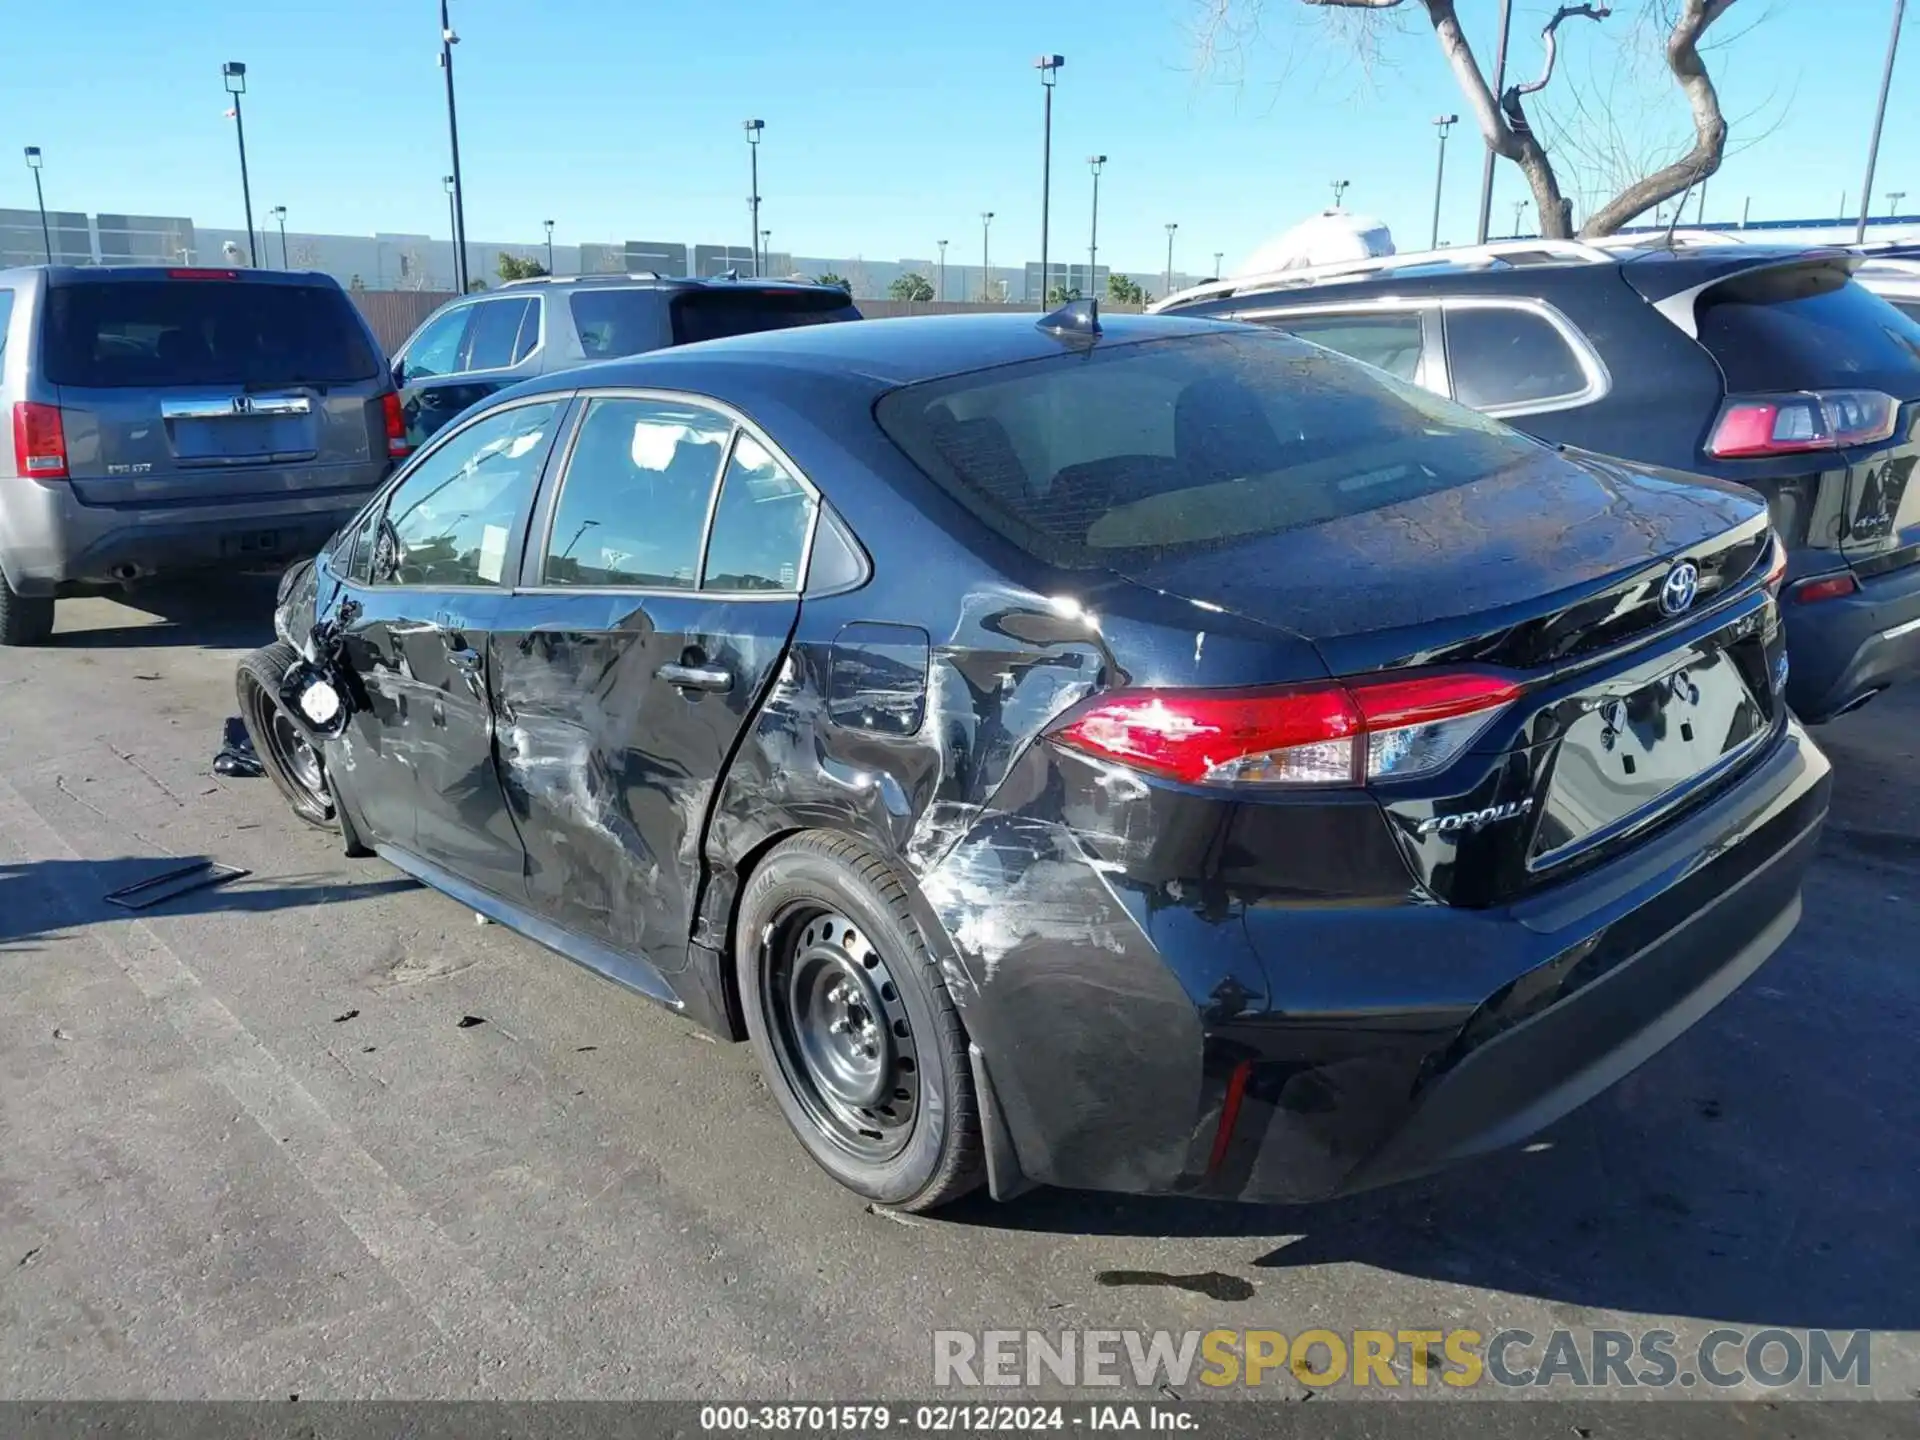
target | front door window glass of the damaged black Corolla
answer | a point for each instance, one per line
(452, 519)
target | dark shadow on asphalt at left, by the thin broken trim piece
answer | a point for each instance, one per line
(39, 900)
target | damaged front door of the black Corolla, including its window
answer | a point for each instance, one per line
(420, 761)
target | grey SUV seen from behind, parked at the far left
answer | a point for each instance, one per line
(168, 420)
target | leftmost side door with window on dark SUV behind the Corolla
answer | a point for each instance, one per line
(464, 356)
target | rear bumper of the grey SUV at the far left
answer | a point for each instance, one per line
(51, 542)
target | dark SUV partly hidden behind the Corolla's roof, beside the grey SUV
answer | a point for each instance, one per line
(479, 345)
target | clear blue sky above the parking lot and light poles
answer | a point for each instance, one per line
(888, 126)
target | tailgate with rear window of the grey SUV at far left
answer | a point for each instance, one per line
(212, 387)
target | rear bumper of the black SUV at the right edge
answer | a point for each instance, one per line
(1844, 650)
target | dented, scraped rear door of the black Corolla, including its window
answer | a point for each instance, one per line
(650, 623)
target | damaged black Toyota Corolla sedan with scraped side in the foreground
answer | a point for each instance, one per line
(1143, 756)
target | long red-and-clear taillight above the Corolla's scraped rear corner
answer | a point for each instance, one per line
(1339, 732)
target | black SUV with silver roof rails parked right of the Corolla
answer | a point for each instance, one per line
(1752, 364)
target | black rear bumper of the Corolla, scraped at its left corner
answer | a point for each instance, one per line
(1278, 1053)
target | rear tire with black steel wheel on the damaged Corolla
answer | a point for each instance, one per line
(853, 1026)
